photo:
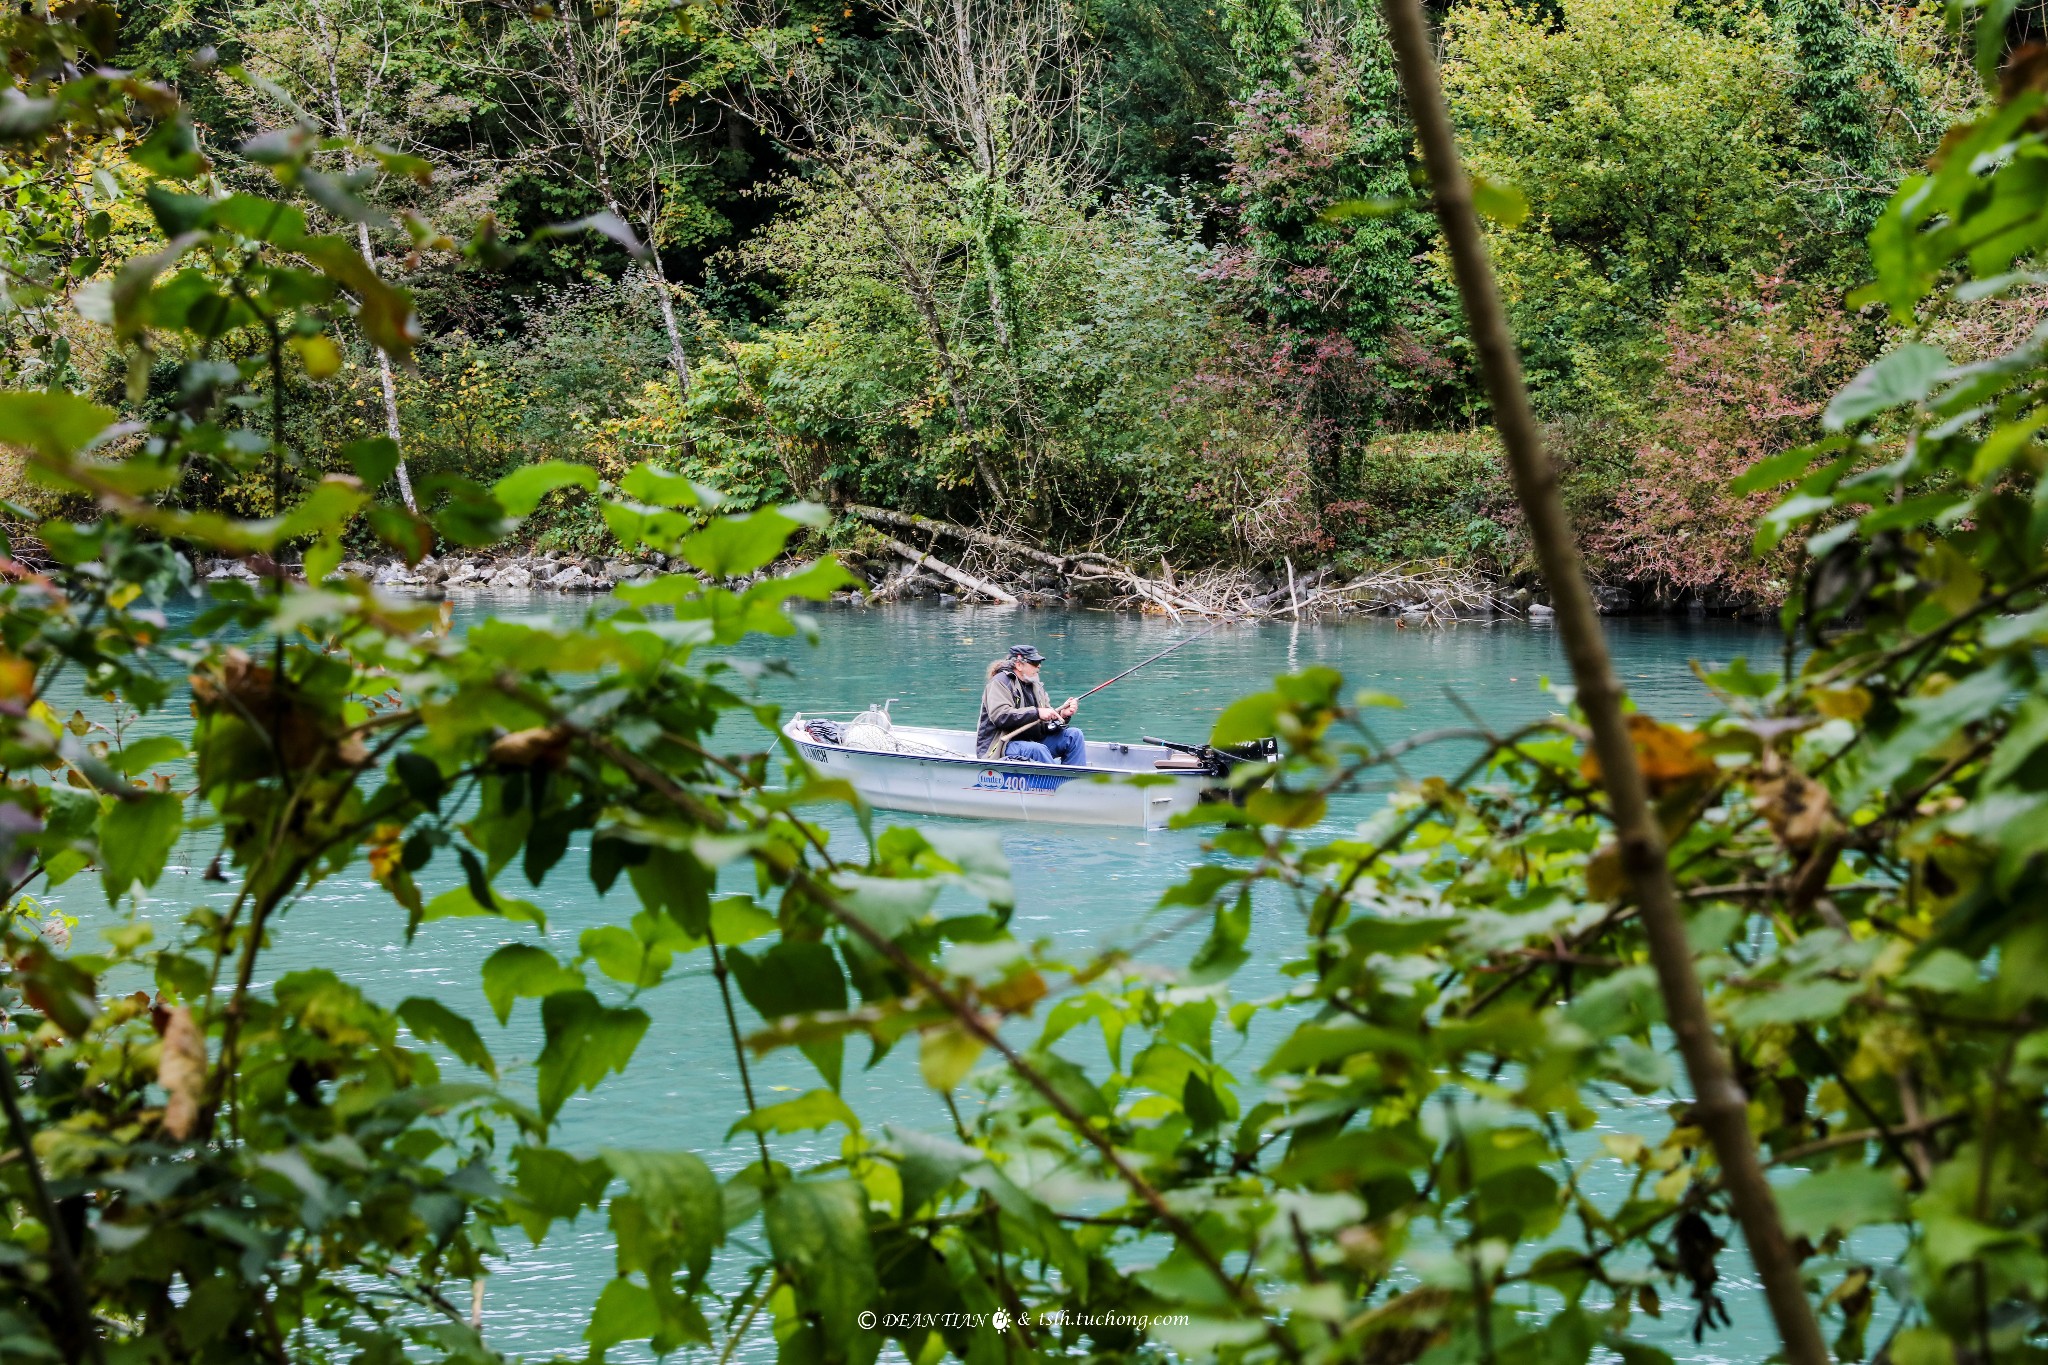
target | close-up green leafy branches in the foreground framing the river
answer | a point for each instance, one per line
(1394, 1163)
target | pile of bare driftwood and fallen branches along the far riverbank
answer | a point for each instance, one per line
(990, 568)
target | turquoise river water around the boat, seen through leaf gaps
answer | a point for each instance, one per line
(1080, 885)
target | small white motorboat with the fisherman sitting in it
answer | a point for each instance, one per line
(1119, 785)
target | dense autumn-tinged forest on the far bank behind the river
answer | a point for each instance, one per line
(1132, 275)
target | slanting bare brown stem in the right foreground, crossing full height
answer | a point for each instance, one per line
(1719, 1104)
